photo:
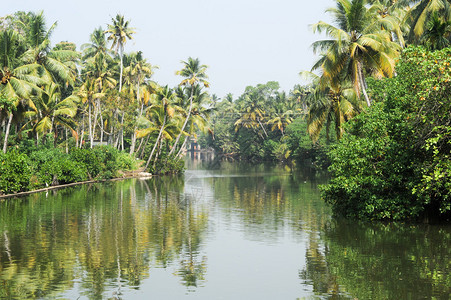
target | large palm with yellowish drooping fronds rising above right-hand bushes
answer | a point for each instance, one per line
(355, 46)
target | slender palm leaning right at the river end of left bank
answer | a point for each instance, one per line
(195, 75)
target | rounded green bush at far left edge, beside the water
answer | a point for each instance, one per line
(15, 172)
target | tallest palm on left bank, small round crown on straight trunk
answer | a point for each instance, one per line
(118, 33)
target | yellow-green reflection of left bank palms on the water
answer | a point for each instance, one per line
(101, 237)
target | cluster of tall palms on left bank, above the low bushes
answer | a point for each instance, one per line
(101, 95)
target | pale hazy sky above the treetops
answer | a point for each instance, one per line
(243, 42)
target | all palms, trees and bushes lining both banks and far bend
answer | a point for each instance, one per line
(385, 100)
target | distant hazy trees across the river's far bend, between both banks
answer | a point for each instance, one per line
(265, 124)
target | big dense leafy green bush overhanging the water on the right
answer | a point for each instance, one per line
(394, 160)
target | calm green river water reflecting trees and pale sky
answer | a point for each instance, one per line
(221, 231)
